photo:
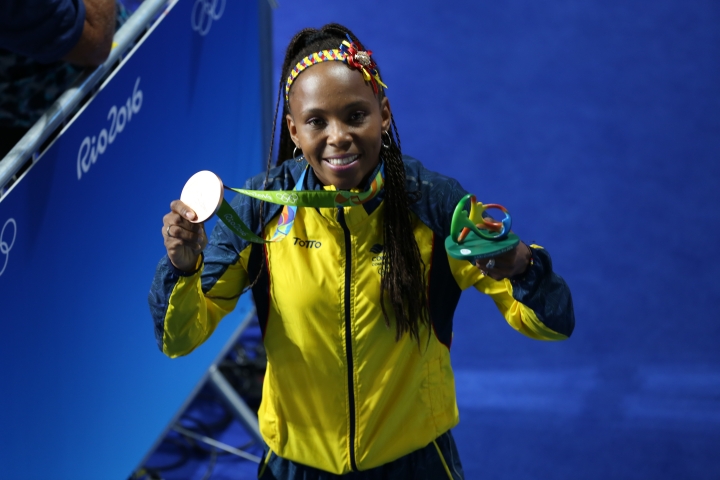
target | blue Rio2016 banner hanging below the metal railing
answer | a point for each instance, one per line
(84, 385)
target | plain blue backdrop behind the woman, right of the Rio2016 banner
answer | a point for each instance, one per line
(597, 124)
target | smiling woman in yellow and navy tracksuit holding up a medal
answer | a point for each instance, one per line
(358, 380)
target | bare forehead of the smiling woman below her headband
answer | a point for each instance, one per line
(329, 82)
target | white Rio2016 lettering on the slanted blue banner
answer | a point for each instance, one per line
(92, 148)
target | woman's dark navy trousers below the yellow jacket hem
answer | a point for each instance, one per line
(422, 464)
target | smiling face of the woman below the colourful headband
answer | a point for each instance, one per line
(337, 121)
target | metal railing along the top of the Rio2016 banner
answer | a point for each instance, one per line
(67, 104)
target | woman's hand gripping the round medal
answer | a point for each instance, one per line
(184, 240)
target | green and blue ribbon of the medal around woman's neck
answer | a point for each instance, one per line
(291, 199)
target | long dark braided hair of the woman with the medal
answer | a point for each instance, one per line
(402, 270)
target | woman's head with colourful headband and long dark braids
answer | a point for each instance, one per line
(337, 114)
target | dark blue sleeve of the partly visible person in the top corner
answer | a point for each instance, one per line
(44, 30)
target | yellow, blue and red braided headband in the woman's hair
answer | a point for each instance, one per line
(348, 53)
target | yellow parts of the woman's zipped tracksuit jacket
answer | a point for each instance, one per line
(404, 392)
